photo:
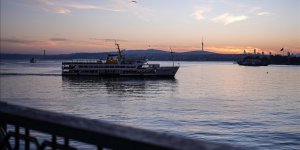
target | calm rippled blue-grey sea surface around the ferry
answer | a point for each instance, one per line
(248, 107)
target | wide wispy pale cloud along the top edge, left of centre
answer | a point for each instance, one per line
(69, 6)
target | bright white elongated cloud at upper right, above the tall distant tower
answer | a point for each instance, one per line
(227, 18)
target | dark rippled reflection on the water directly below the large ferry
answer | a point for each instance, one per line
(123, 87)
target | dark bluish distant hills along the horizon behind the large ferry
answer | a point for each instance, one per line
(151, 54)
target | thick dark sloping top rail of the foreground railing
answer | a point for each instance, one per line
(98, 132)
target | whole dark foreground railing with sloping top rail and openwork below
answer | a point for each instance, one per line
(103, 135)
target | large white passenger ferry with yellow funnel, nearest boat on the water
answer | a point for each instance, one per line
(116, 65)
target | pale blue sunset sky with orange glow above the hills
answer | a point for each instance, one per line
(226, 26)
